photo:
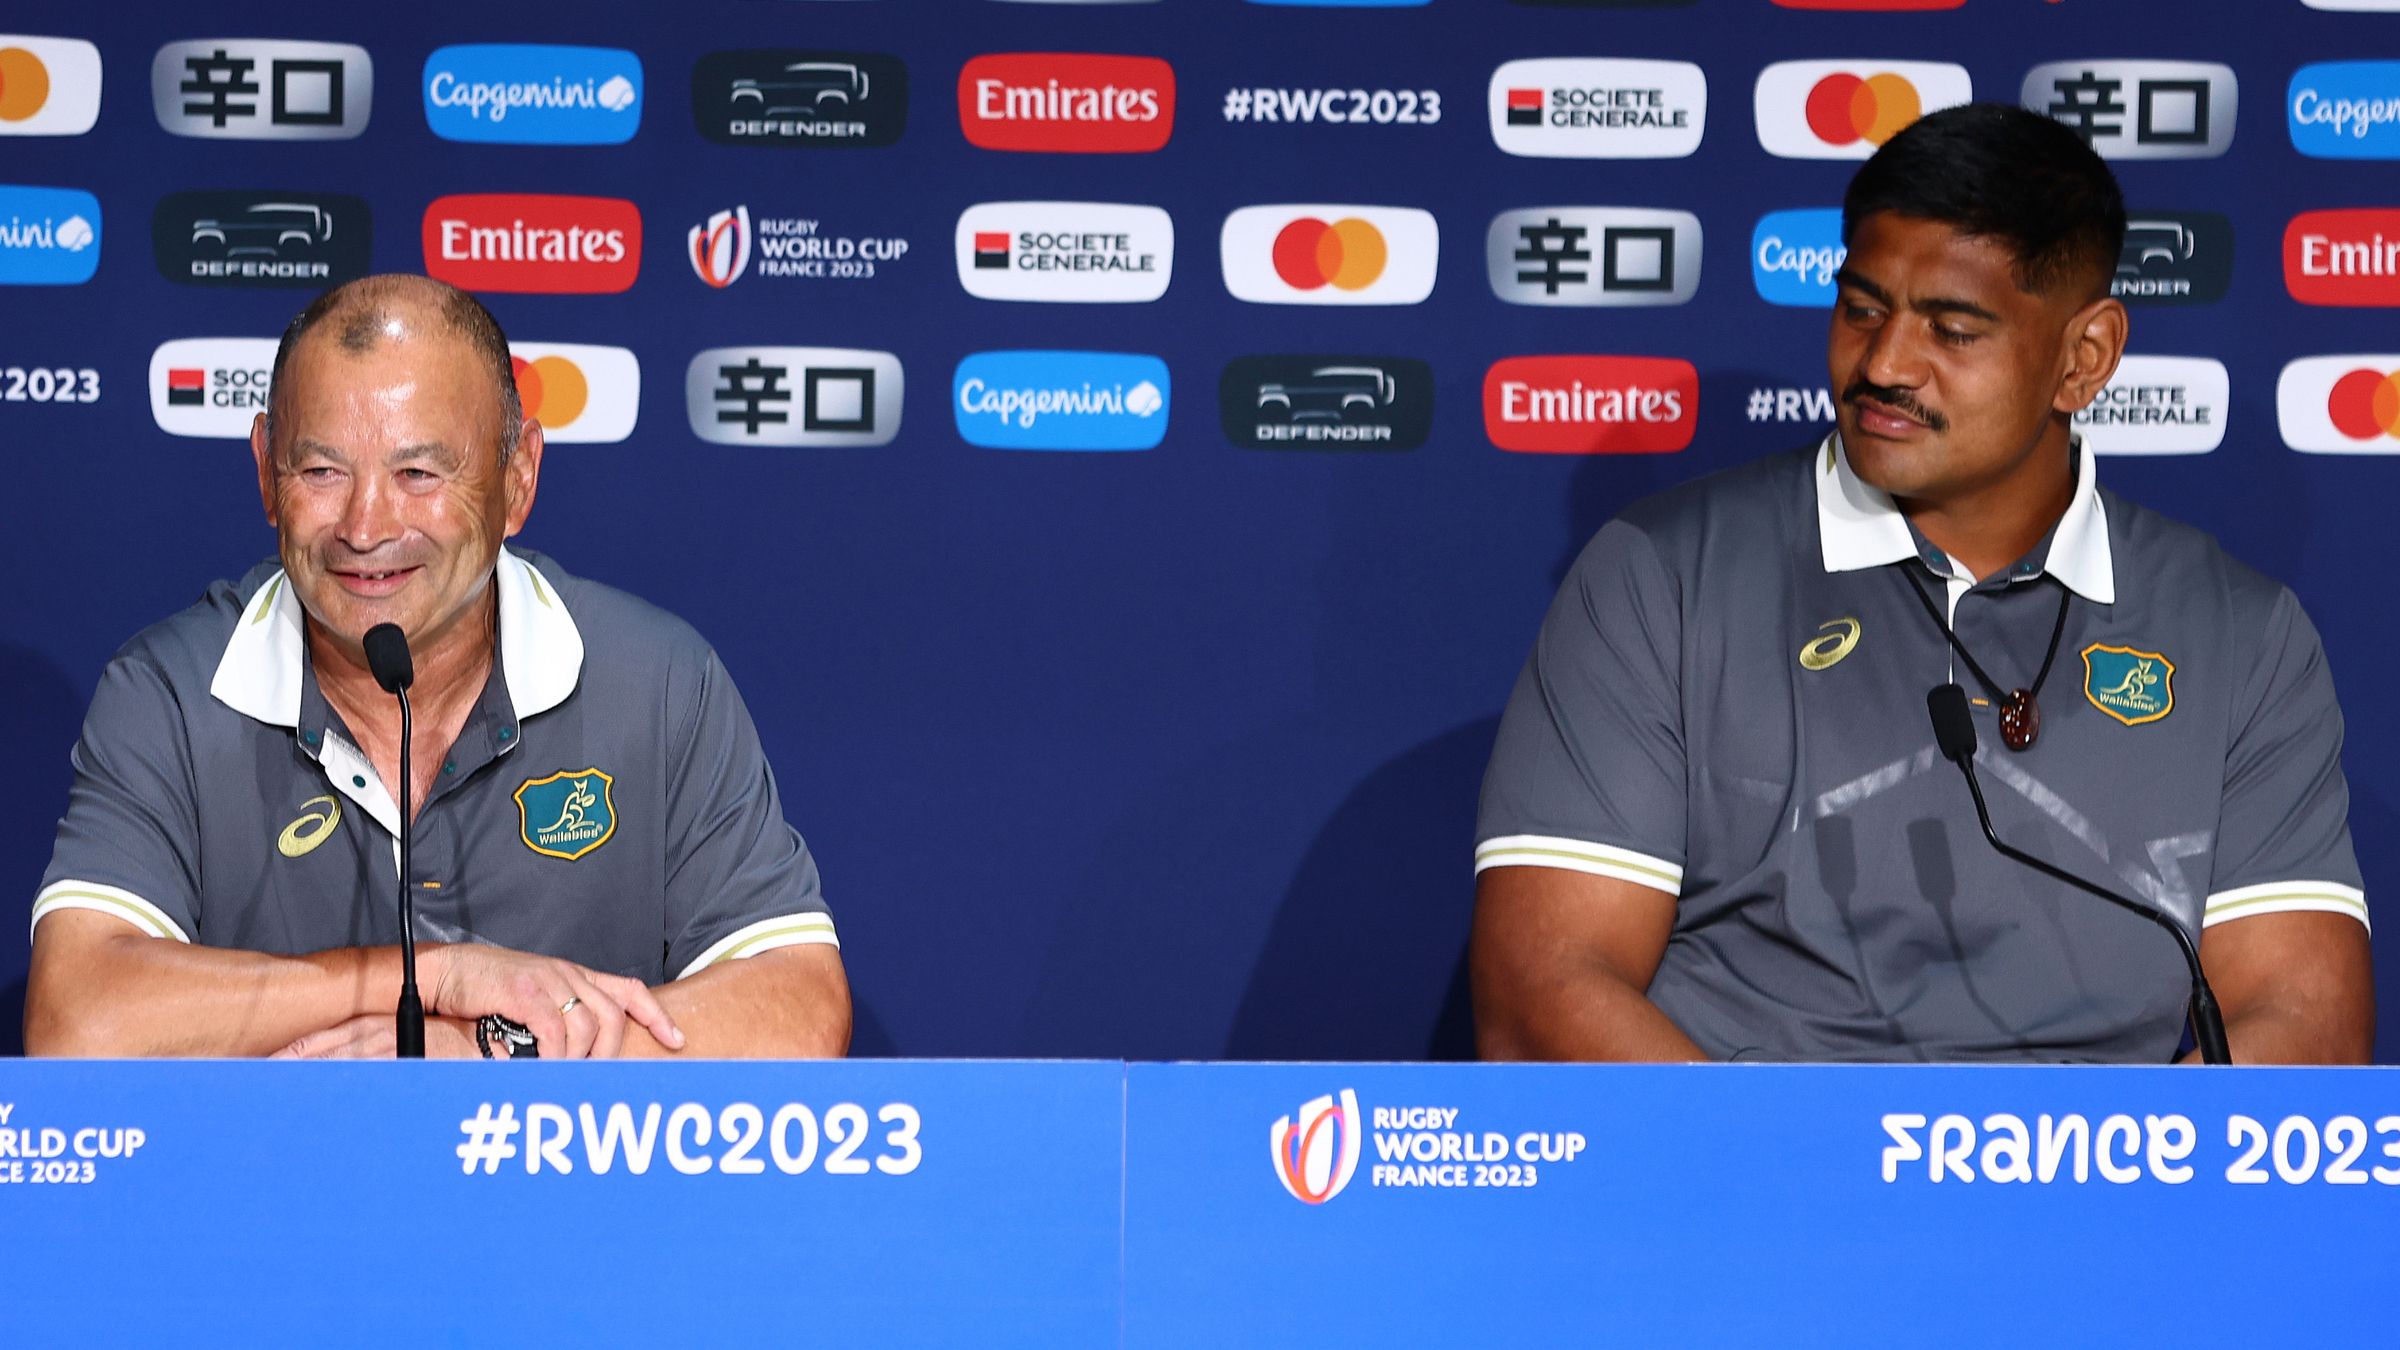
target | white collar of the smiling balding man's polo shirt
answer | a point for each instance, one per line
(541, 650)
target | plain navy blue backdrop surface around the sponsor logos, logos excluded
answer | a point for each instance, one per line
(1132, 755)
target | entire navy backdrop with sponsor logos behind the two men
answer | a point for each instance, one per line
(1165, 753)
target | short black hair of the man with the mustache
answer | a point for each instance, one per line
(2005, 174)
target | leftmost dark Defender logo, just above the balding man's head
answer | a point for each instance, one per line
(260, 239)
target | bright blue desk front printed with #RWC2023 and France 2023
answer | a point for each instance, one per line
(1196, 1205)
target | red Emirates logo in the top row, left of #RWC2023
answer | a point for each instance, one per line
(1067, 102)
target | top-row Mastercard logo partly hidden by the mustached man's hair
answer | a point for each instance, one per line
(1847, 109)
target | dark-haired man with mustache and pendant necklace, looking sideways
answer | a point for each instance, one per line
(1715, 823)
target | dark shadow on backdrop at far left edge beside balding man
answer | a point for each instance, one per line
(44, 717)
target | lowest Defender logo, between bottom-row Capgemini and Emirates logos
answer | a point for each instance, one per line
(1326, 402)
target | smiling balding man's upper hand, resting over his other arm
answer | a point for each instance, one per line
(575, 1012)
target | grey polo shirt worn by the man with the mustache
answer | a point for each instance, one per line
(1727, 703)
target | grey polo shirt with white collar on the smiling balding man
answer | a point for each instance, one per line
(606, 801)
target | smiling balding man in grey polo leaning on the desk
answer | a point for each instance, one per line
(601, 856)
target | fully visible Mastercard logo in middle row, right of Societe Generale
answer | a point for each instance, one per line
(1331, 256)
